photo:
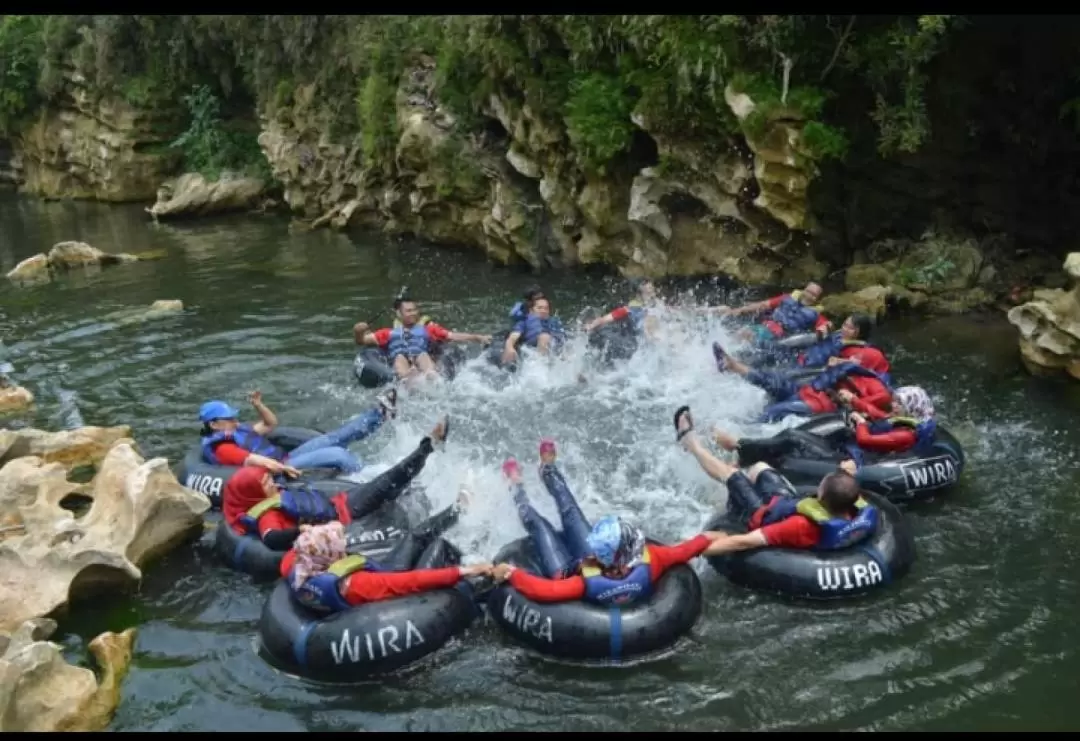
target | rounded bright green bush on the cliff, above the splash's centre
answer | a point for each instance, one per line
(598, 119)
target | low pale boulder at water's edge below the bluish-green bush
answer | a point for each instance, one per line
(193, 195)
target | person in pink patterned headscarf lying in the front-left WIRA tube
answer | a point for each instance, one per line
(326, 578)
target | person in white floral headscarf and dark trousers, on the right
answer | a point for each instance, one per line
(911, 428)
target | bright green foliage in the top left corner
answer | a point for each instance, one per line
(21, 48)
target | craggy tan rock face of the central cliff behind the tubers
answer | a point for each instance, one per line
(516, 191)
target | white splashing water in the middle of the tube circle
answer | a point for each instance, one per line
(615, 434)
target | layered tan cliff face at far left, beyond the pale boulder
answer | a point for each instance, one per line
(86, 147)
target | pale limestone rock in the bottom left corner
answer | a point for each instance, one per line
(39, 692)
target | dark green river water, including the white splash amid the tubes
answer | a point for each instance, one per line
(980, 636)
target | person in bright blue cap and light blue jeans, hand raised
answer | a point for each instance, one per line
(226, 442)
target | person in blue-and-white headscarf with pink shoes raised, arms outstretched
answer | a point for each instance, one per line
(607, 564)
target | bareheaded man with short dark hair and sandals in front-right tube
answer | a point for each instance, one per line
(761, 499)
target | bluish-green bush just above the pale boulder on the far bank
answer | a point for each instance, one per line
(210, 147)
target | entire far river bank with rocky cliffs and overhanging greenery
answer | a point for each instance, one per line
(619, 144)
